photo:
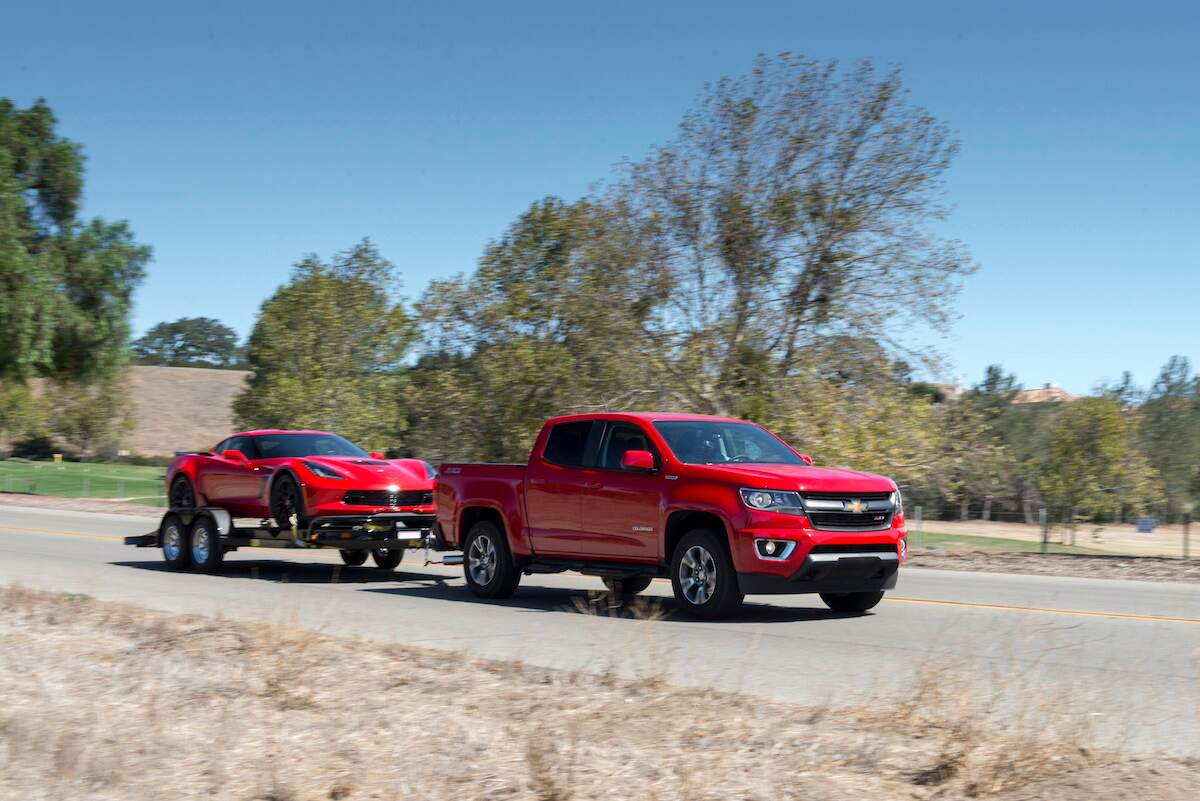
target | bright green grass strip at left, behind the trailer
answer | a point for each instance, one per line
(137, 484)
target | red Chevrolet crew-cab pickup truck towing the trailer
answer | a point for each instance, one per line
(723, 508)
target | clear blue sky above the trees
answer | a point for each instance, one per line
(238, 137)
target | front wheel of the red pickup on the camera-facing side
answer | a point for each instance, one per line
(704, 553)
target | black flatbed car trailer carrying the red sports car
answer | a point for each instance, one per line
(201, 538)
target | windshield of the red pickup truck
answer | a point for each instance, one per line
(705, 442)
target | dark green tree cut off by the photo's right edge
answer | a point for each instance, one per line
(1172, 431)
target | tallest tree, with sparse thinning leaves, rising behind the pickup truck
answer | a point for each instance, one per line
(795, 206)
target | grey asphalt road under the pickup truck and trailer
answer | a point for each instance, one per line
(1123, 658)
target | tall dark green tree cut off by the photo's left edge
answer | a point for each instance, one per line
(67, 284)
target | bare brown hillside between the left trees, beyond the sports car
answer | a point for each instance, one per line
(182, 408)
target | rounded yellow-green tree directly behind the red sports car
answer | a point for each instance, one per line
(328, 351)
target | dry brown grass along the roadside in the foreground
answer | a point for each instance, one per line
(107, 702)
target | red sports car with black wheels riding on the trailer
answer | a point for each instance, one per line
(293, 477)
